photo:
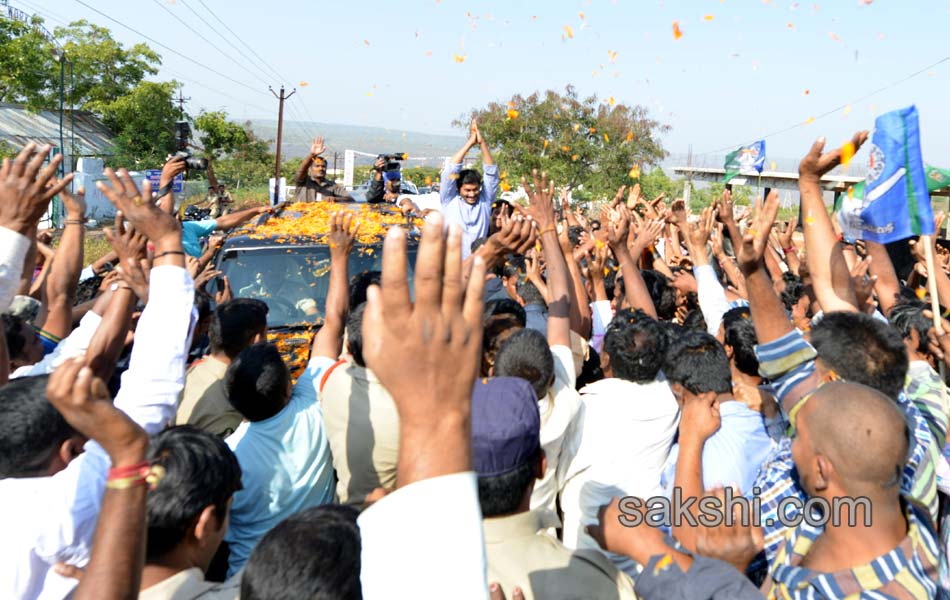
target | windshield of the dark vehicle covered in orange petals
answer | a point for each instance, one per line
(294, 281)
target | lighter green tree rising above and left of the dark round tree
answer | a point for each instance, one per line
(103, 69)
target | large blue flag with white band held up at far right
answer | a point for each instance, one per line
(895, 203)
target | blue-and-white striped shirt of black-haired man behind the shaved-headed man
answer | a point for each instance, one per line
(789, 363)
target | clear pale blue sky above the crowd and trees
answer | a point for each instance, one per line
(727, 80)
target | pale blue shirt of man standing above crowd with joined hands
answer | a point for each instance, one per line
(474, 219)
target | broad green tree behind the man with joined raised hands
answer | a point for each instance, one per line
(578, 141)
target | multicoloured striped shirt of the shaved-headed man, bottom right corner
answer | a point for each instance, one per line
(907, 571)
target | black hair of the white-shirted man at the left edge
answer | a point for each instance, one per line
(31, 429)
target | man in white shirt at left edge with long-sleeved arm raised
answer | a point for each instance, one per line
(51, 492)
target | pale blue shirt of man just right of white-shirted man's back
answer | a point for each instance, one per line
(733, 454)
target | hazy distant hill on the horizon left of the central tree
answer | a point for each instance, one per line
(373, 140)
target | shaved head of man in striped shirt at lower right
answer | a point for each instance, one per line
(861, 431)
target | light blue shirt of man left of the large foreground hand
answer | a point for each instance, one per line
(285, 466)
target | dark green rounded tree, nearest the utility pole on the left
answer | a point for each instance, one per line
(144, 123)
